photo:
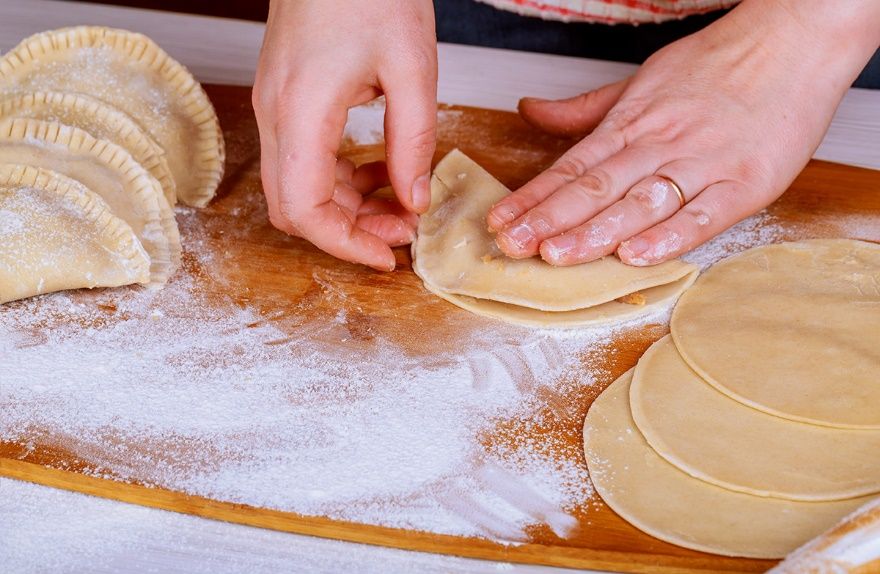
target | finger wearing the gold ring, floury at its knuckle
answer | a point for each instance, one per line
(647, 203)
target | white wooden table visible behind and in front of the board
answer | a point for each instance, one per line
(43, 529)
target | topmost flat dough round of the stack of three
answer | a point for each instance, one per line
(790, 329)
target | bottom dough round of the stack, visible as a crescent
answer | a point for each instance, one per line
(665, 502)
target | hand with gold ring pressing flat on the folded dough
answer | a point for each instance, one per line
(730, 114)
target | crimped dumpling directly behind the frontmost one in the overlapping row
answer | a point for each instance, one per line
(108, 170)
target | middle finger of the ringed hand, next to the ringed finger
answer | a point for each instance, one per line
(577, 201)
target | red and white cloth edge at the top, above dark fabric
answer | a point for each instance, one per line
(610, 11)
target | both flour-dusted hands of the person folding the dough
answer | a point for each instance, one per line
(731, 114)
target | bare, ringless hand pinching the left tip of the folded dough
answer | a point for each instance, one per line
(319, 58)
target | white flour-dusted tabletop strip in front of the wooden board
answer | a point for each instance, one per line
(48, 530)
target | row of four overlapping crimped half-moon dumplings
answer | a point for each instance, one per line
(101, 132)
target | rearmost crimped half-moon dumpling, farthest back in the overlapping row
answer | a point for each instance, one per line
(131, 73)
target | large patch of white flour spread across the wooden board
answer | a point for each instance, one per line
(164, 389)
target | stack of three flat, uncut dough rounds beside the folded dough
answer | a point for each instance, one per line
(755, 425)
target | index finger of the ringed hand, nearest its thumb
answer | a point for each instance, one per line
(591, 150)
